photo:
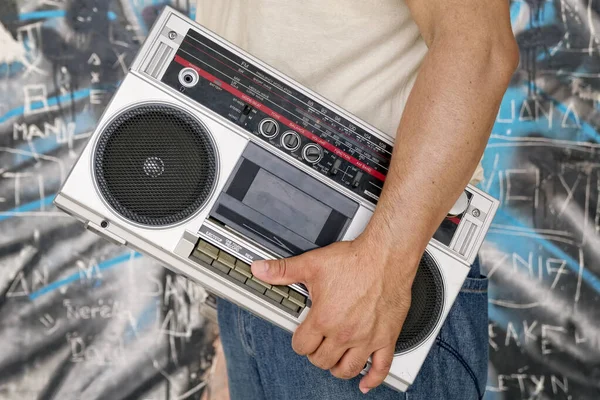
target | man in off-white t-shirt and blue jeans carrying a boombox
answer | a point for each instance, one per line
(431, 73)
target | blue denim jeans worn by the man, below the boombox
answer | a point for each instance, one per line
(261, 363)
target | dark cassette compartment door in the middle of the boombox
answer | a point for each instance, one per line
(281, 207)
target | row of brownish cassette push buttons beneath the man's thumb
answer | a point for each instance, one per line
(240, 272)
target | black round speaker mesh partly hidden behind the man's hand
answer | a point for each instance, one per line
(426, 305)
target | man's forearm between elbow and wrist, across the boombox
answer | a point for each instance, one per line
(441, 138)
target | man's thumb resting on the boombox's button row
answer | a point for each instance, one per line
(284, 271)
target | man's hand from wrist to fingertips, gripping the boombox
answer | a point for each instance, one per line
(360, 296)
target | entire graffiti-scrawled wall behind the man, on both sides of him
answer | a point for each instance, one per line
(80, 318)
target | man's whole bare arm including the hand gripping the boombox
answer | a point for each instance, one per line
(361, 289)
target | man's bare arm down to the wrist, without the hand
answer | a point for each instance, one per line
(449, 113)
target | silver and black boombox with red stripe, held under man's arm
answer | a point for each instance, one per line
(207, 159)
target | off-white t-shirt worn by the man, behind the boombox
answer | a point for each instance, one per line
(362, 55)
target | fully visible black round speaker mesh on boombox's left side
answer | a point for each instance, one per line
(155, 165)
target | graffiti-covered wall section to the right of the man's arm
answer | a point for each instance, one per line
(543, 252)
